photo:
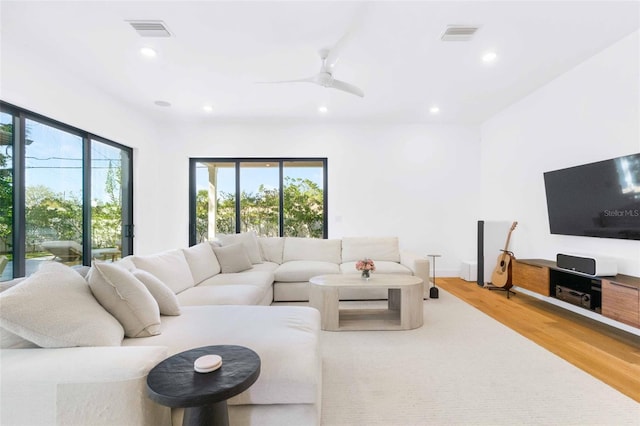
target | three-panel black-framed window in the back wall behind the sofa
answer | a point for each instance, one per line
(273, 197)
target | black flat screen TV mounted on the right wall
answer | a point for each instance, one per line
(599, 199)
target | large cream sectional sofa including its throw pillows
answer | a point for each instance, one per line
(77, 344)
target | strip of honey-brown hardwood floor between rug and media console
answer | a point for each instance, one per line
(607, 353)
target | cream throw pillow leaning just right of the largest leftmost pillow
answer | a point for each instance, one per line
(126, 298)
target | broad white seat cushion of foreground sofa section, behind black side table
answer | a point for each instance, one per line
(285, 337)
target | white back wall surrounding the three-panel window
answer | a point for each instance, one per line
(417, 182)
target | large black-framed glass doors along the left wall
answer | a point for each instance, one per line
(66, 194)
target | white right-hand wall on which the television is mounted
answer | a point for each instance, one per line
(591, 113)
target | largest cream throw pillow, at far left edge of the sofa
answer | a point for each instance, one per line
(54, 308)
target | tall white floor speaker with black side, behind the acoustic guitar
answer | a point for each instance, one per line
(491, 238)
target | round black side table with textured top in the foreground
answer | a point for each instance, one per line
(174, 383)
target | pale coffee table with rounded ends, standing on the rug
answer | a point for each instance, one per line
(404, 306)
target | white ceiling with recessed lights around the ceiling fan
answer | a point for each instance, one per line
(219, 50)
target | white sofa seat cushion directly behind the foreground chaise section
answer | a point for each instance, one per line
(221, 295)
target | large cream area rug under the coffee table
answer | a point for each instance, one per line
(461, 368)
